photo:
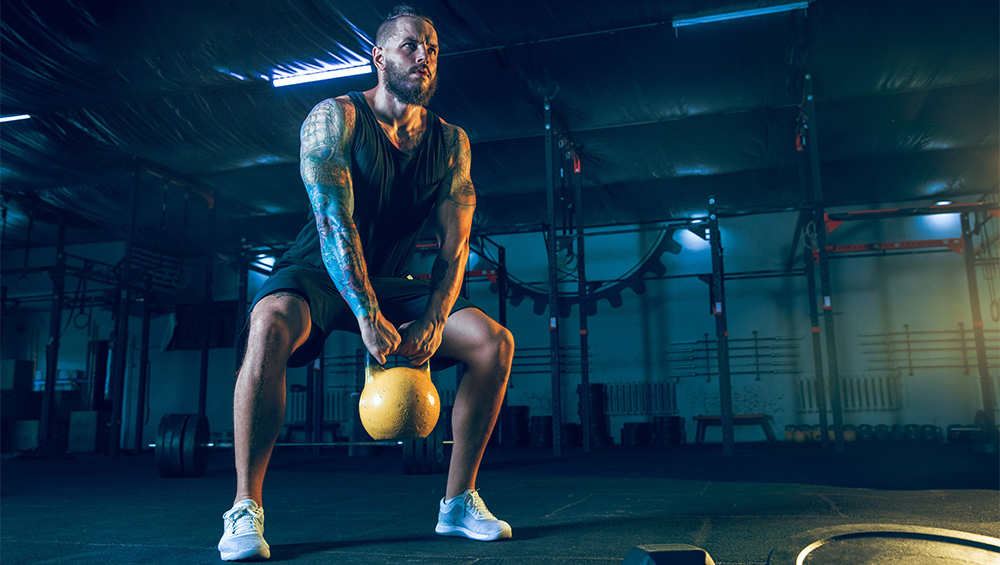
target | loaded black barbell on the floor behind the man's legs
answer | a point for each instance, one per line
(182, 448)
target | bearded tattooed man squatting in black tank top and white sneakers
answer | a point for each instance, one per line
(376, 165)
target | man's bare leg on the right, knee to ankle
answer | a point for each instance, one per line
(487, 348)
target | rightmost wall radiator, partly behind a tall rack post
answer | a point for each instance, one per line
(858, 393)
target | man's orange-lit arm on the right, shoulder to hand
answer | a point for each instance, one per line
(454, 223)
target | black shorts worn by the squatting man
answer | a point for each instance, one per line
(400, 299)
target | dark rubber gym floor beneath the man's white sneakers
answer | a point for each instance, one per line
(580, 508)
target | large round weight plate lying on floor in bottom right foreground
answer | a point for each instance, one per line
(882, 544)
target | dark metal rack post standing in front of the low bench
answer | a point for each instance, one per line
(721, 329)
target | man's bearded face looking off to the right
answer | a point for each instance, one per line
(411, 62)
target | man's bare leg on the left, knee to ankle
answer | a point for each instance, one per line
(279, 324)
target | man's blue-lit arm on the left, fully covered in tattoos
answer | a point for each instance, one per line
(325, 165)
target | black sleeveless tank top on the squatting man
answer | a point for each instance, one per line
(394, 194)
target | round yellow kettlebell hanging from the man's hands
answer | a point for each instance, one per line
(398, 403)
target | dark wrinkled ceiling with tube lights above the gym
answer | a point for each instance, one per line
(141, 95)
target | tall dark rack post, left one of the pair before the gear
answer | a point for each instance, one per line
(550, 191)
